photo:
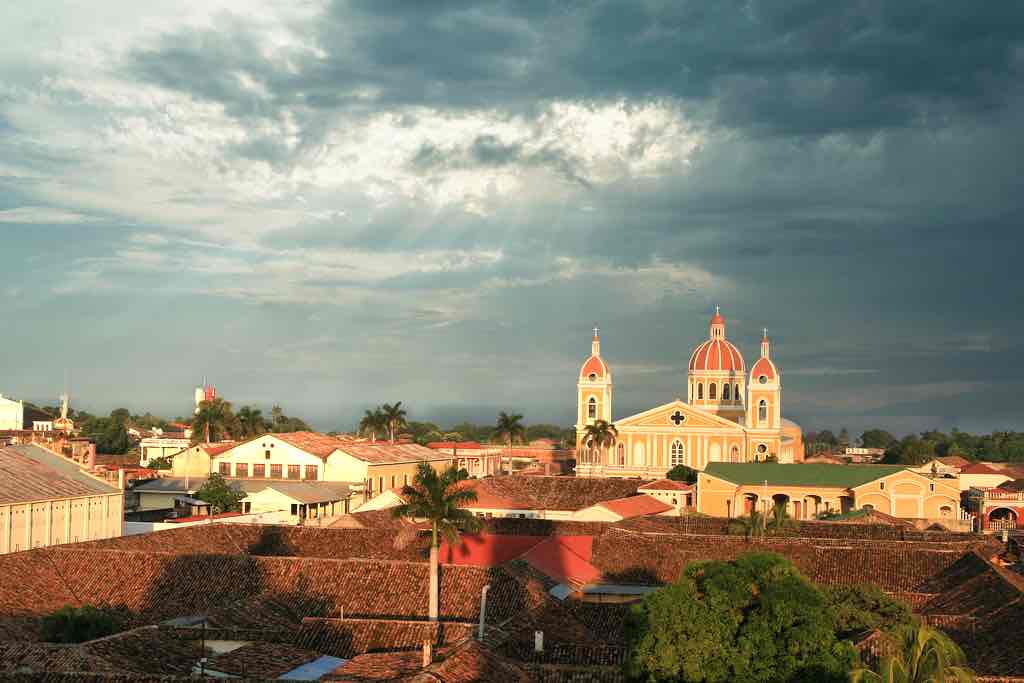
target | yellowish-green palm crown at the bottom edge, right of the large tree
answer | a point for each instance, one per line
(929, 658)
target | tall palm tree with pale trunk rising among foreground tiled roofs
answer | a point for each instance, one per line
(439, 499)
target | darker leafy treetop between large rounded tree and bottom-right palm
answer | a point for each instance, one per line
(866, 608)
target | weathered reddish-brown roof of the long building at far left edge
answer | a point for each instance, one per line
(31, 474)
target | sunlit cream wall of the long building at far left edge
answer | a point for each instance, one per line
(45, 524)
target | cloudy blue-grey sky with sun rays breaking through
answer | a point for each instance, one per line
(329, 205)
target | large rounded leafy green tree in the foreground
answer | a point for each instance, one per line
(755, 619)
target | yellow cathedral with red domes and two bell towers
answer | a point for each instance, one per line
(730, 415)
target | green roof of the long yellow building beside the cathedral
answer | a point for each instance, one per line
(813, 475)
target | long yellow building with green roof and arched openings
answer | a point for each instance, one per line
(733, 490)
